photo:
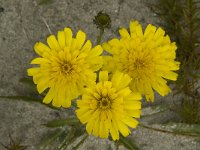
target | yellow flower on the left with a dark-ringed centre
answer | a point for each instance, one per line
(66, 66)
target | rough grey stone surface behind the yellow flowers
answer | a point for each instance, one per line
(22, 23)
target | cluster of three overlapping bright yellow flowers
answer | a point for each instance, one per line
(109, 100)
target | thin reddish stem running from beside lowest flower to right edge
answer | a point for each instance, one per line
(166, 131)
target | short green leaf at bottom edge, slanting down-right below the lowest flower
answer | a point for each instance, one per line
(128, 143)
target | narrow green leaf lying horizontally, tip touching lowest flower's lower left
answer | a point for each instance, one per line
(62, 122)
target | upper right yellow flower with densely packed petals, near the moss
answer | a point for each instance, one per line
(149, 58)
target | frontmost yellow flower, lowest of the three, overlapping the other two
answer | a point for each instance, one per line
(109, 106)
